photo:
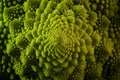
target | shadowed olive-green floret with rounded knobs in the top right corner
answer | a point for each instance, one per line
(105, 7)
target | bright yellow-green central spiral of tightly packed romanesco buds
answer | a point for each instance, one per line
(58, 52)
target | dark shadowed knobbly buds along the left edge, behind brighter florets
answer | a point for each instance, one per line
(6, 64)
